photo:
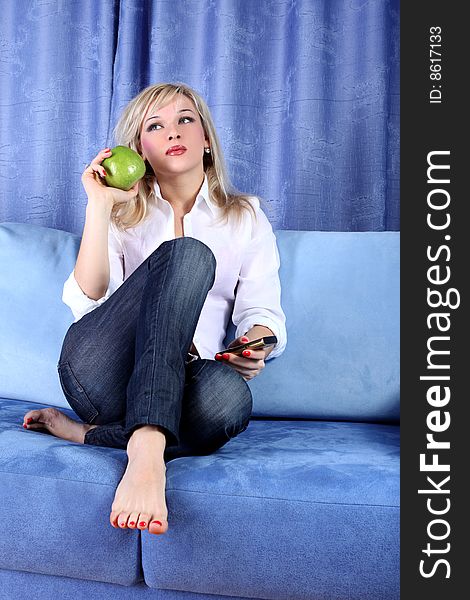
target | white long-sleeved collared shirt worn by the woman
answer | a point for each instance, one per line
(246, 255)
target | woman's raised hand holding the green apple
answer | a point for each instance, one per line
(97, 191)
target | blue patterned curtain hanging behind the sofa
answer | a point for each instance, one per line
(304, 94)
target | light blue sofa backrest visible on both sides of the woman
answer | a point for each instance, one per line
(340, 294)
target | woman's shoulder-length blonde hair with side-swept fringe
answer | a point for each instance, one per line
(127, 133)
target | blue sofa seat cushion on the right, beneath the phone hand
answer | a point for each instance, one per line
(287, 510)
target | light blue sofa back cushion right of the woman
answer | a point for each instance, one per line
(340, 292)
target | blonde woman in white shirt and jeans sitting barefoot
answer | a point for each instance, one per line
(161, 269)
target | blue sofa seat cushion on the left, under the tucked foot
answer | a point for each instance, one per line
(55, 500)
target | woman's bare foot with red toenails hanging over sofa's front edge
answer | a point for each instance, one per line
(139, 502)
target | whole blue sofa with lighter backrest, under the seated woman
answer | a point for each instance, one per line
(302, 505)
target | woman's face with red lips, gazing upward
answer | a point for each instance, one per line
(172, 138)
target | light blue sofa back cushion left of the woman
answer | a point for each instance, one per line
(34, 263)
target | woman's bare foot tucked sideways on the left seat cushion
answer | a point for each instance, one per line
(57, 423)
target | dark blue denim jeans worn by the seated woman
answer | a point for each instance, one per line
(124, 364)
